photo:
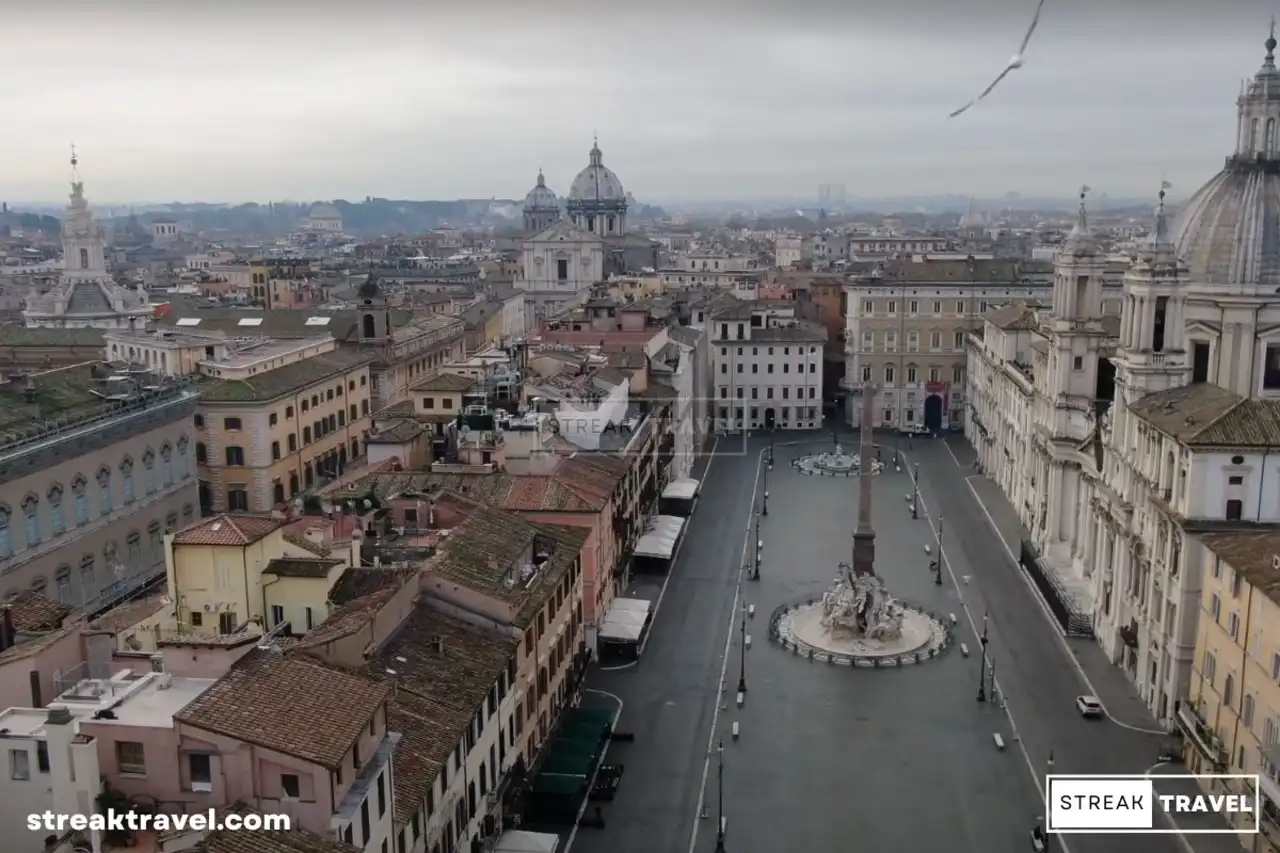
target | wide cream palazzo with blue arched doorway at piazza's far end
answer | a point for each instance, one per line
(906, 330)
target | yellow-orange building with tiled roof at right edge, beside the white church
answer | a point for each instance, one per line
(1232, 717)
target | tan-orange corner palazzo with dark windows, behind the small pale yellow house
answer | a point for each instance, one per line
(264, 439)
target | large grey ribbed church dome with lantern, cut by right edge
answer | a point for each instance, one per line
(1229, 232)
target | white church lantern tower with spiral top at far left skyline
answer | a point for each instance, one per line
(85, 295)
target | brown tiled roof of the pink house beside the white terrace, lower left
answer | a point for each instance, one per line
(290, 703)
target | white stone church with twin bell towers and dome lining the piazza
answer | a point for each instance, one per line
(1114, 480)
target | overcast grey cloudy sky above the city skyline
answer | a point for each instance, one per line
(291, 99)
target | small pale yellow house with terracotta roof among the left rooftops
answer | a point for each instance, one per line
(235, 569)
